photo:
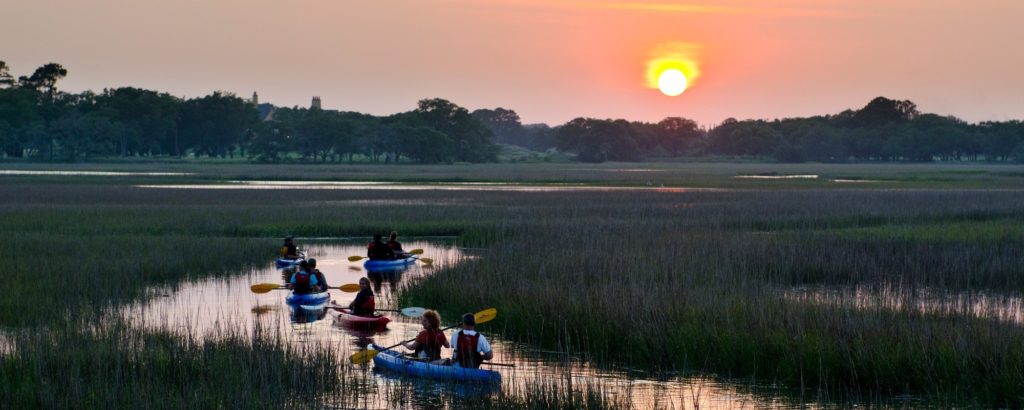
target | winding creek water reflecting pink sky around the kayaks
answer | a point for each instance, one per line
(206, 308)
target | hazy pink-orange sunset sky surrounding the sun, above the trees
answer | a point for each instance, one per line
(550, 61)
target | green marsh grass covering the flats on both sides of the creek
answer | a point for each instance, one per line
(690, 282)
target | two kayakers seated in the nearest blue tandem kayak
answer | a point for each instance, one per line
(470, 348)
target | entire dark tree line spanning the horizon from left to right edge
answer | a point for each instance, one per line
(38, 121)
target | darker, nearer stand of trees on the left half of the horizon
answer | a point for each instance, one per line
(38, 121)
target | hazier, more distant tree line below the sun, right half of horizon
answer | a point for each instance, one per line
(883, 131)
